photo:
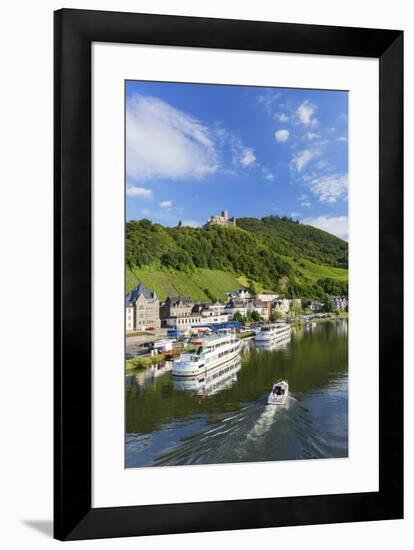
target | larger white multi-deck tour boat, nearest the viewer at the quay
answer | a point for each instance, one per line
(210, 353)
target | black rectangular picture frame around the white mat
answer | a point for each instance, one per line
(74, 32)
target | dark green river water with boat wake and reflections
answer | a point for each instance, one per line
(227, 419)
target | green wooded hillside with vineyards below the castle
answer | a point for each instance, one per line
(204, 263)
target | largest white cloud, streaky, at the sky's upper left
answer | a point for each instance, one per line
(163, 142)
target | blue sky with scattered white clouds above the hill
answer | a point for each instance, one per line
(193, 150)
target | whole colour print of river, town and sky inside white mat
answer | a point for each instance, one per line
(236, 274)
